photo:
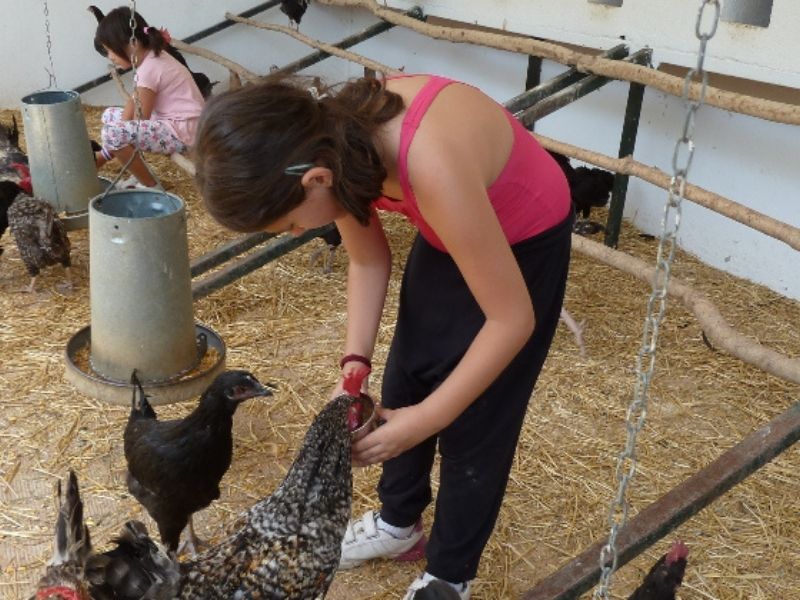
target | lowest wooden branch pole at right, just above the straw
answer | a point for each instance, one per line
(722, 335)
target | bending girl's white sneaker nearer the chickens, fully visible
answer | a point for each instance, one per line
(364, 540)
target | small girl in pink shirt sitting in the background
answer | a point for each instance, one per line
(169, 98)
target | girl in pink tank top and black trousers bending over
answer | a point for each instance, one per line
(482, 287)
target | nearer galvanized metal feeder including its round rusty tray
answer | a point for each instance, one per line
(141, 304)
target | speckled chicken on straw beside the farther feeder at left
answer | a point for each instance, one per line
(40, 236)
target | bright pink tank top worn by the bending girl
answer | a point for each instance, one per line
(529, 196)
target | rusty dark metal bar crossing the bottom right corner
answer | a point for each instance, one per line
(676, 506)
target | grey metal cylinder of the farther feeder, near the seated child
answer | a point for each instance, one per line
(60, 156)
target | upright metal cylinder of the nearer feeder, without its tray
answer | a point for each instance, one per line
(140, 287)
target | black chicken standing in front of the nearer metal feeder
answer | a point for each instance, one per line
(175, 467)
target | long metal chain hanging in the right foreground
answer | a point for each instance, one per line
(657, 304)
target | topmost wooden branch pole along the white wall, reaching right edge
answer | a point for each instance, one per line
(770, 110)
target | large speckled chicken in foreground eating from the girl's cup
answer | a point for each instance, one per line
(288, 545)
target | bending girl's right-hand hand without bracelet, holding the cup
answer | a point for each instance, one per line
(403, 428)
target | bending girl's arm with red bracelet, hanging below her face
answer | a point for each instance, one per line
(368, 272)
